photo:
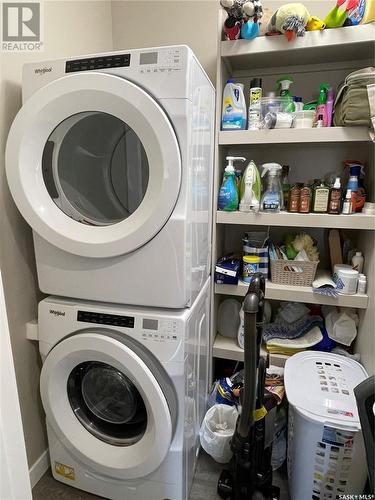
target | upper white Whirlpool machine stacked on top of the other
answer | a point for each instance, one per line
(110, 161)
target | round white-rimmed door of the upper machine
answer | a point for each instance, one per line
(93, 164)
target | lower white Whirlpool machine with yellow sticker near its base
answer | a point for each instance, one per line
(124, 392)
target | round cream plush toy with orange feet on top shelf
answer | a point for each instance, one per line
(290, 19)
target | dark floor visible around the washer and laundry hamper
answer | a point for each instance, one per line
(204, 486)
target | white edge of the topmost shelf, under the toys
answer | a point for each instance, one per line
(339, 37)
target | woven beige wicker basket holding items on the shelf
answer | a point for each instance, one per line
(282, 274)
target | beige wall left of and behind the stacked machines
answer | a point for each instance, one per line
(71, 28)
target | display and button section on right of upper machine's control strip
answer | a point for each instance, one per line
(161, 61)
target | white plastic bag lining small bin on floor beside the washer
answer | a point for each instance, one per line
(217, 430)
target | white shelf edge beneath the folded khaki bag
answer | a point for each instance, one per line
(293, 135)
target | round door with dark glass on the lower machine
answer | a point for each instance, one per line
(111, 401)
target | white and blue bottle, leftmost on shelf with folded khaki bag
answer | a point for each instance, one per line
(234, 107)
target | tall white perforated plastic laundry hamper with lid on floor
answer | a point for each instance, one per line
(326, 454)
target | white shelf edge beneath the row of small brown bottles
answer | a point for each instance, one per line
(287, 219)
